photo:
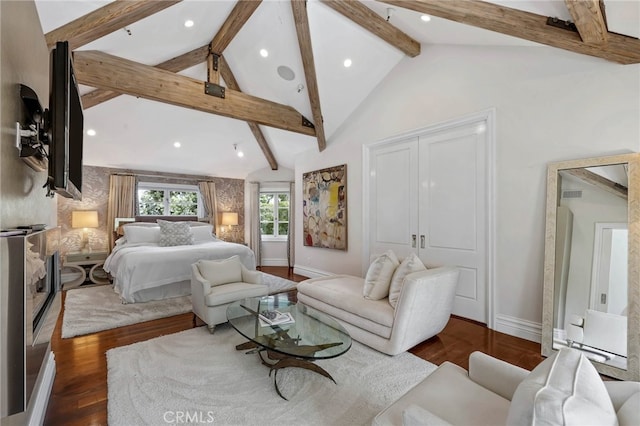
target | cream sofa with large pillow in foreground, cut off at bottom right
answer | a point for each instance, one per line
(564, 389)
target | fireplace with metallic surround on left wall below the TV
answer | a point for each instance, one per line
(29, 303)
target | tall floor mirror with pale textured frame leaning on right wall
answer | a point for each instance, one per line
(592, 262)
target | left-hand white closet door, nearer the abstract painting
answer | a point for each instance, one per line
(393, 204)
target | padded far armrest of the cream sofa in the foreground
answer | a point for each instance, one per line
(496, 375)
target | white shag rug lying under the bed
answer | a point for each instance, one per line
(93, 309)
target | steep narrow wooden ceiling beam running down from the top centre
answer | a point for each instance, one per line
(300, 17)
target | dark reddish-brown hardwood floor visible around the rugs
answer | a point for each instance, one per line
(79, 394)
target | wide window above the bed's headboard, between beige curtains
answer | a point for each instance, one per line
(168, 200)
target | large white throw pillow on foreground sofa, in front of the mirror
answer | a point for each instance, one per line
(565, 389)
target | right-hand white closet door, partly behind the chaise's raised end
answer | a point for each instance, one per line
(453, 211)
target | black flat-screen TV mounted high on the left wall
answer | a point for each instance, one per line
(66, 126)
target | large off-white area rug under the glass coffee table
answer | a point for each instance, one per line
(196, 376)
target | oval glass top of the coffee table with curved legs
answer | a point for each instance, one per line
(312, 335)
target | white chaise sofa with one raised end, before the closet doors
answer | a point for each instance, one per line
(423, 307)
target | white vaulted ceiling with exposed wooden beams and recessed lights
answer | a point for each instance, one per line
(149, 81)
